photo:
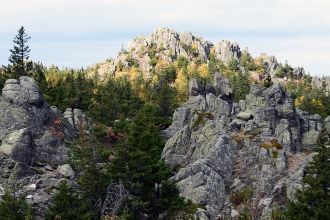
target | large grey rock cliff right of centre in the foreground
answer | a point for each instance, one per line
(219, 149)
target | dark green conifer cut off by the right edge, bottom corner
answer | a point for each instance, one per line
(313, 200)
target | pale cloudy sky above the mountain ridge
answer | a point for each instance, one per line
(76, 33)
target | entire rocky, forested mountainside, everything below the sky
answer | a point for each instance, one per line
(175, 127)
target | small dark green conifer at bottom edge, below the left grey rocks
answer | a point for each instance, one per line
(65, 204)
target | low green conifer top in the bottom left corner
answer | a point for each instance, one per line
(13, 207)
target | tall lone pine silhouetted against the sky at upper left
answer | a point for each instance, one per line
(19, 65)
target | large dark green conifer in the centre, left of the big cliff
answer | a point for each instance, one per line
(138, 164)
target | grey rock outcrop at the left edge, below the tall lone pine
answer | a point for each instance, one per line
(34, 139)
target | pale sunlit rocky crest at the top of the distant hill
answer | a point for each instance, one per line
(165, 46)
